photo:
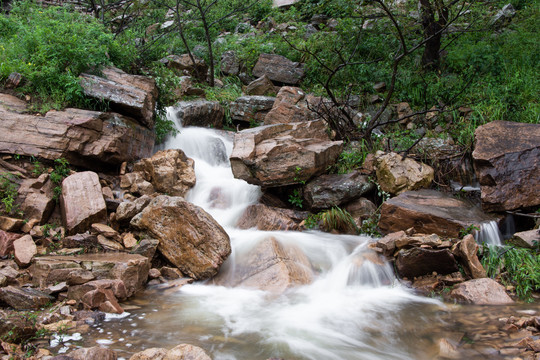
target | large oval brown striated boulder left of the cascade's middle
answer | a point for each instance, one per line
(188, 236)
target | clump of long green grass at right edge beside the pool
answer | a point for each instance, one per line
(513, 266)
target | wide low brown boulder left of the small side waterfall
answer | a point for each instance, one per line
(429, 212)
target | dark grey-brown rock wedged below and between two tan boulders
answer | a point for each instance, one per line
(327, 191)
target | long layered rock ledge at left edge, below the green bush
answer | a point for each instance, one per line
(90, 139)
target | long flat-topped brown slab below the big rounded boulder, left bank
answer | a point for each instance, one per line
(131, 269)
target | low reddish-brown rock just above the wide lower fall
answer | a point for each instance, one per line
(267, 218)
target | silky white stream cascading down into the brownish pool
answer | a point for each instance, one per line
(354, 309)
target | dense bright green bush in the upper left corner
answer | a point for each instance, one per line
(50, 47)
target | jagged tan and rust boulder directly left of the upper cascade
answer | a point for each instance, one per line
(169, 171)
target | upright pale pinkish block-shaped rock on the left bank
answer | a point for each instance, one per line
(82, 202)
